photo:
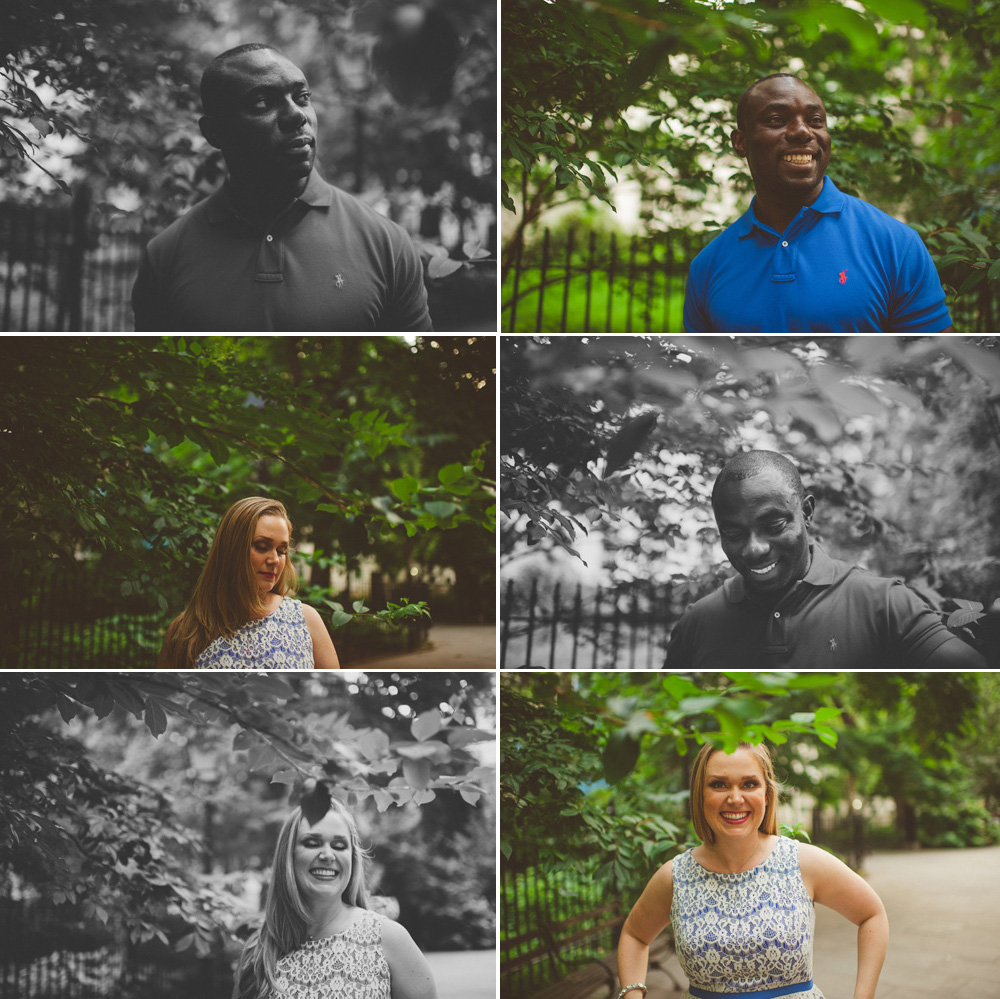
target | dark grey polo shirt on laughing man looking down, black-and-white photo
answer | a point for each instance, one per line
(837, 617)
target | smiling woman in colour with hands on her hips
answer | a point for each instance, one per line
(741, 903)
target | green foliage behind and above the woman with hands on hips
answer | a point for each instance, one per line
(594, 767)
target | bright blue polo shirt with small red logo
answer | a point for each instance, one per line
(842, 266)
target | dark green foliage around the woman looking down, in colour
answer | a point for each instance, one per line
(127, 451)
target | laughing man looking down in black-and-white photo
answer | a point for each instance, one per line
(791, 606)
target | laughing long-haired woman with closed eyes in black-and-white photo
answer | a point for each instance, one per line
(320, 939)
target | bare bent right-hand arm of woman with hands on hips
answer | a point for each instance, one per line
(834, 884)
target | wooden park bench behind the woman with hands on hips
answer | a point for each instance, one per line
(579, 975)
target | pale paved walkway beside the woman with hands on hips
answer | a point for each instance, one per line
(944, 930)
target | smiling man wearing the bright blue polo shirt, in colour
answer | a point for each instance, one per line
(805, 257)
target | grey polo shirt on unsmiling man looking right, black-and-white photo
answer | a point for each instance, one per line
(328, 263)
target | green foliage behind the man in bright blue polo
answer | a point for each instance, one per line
(598, 95)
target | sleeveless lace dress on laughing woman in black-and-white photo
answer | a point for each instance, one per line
(350, 965)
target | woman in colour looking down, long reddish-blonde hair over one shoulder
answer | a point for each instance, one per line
(242, 615)
